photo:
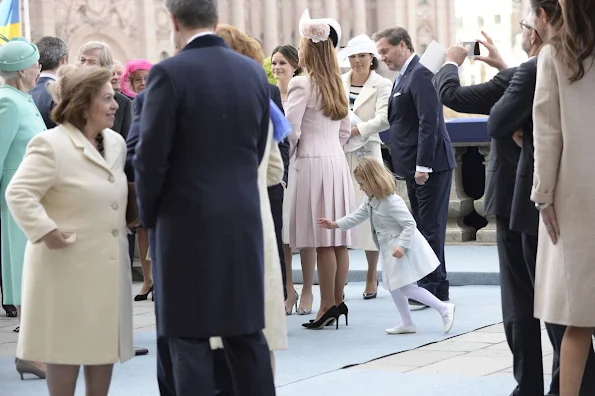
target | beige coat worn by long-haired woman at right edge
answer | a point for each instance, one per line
(564, 140)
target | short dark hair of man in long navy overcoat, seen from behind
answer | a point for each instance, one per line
(193, 14)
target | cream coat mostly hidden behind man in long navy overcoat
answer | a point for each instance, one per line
(270, 173)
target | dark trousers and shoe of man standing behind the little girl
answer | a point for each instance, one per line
(429, 206)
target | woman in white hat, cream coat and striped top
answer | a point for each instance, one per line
(368, 94)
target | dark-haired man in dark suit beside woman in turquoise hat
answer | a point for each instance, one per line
(53, 53)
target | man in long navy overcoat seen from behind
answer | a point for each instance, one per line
(202, 206)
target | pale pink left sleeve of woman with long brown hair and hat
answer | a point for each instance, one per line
(295, 108)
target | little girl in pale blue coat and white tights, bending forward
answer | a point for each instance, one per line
(405, 254)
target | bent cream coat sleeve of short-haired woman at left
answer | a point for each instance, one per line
(35, 176)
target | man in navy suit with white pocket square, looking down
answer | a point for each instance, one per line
(420, 146)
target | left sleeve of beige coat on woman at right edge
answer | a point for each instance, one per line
(547, 129)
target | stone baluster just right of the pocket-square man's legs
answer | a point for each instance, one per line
(459, 204)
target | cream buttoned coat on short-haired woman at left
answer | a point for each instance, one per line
(77, 301)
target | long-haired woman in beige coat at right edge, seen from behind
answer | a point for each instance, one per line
(563, 187)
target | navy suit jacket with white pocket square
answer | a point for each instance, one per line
(418, 135)
